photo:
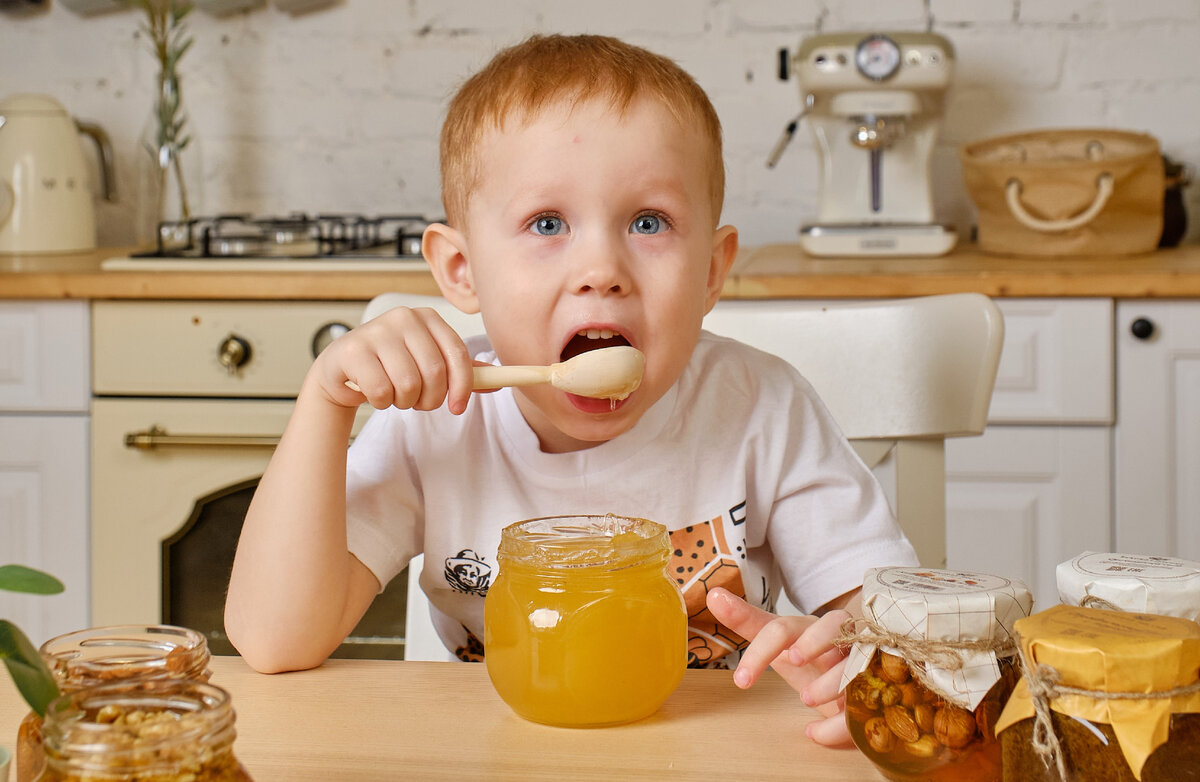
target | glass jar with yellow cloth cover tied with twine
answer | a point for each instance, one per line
(1103, 732)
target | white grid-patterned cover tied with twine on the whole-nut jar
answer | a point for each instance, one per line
(923, 605)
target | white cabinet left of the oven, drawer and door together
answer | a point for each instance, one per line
(45, 398)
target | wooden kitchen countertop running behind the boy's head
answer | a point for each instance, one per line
(772, 272)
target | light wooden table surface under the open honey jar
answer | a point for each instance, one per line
(377, 720)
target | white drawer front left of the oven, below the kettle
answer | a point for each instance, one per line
(45, 357)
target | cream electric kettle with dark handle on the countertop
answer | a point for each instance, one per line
(46, 202)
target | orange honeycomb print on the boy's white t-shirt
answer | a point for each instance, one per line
(700, 561)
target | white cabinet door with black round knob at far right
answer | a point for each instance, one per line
(1157, 438)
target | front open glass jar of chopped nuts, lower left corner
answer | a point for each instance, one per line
(152, 731)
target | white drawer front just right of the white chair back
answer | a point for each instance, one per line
(1058, 365)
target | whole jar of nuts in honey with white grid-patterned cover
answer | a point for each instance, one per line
(931, 667)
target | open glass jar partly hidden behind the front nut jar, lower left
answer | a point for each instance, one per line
(106, 655)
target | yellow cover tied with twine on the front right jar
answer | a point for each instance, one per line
(1106, 663)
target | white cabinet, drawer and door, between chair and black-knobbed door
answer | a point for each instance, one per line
(1035, 490)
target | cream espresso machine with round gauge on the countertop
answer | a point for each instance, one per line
(874, 106)
